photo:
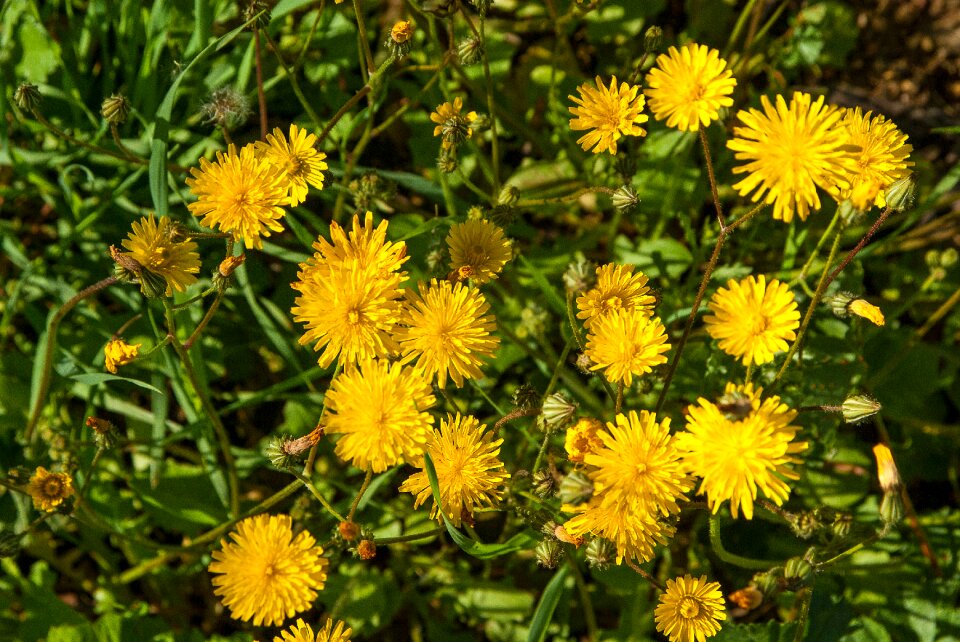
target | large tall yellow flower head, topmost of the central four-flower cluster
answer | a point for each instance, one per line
(350, 293)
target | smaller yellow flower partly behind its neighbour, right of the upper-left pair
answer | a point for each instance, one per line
(297, 158)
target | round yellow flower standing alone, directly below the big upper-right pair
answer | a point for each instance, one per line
(753, 320)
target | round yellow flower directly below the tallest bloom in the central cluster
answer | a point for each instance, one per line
(381, 410)
